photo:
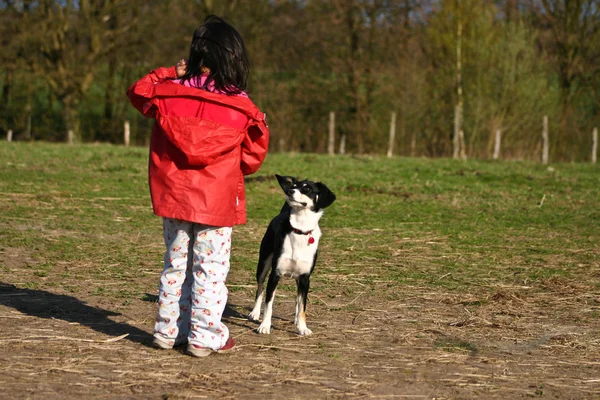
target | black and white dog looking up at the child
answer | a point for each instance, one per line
(290, 246)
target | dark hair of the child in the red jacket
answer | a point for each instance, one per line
(217, 46)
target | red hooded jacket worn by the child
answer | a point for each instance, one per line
(202, 145)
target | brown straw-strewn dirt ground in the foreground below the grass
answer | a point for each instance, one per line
(377, 340)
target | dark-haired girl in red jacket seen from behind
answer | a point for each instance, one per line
(207, 136)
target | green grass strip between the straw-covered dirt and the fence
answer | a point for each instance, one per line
(83, 212)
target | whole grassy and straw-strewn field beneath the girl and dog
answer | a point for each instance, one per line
(421, 302)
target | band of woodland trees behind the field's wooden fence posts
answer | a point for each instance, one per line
(483, 65)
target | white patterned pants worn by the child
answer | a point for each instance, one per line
(192, 293)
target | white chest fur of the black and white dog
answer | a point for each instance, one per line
(298, 254)
